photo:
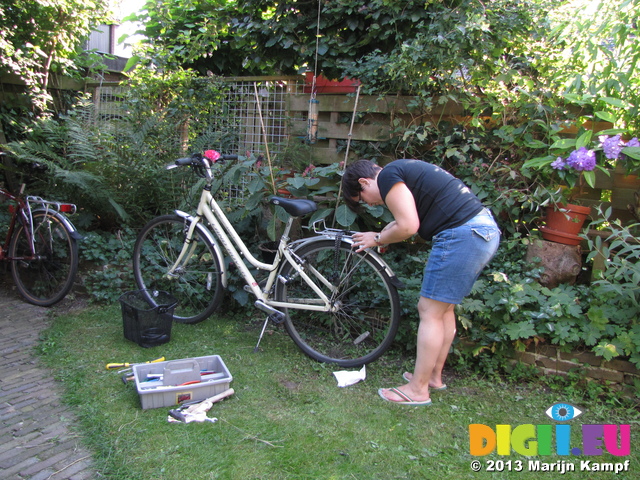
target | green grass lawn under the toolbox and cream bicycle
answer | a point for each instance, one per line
(288, 419)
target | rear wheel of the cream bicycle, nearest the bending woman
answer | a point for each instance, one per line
(366, 322)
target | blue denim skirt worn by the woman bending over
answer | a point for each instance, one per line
(457, 257)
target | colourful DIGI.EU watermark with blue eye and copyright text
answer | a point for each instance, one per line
(548, 439)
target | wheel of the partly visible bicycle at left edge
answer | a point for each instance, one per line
(47, 279)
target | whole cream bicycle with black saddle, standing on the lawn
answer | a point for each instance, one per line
(338, 305)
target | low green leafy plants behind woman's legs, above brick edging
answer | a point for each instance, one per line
(508, 309)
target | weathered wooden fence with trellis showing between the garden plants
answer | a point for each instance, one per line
(282, 106)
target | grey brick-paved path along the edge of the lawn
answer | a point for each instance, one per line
(37, 441)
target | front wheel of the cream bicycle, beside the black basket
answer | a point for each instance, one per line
(198, 288)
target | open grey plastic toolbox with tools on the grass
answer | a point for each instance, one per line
(164, 384)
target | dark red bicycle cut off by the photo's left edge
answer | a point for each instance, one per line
(41, 246)
